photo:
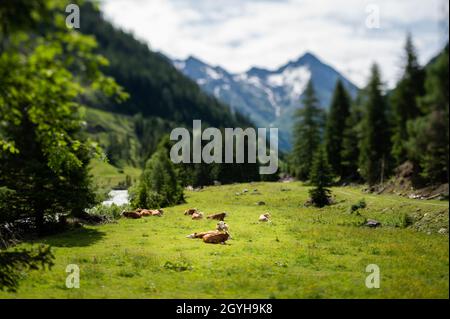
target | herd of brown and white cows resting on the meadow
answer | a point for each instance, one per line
(218, 236)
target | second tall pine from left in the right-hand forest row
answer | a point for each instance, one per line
(336, 124)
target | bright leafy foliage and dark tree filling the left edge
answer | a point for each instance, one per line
(45, 154)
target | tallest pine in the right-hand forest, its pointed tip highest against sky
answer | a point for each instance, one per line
(405, 101)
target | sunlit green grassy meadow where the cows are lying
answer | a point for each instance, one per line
(302, 253)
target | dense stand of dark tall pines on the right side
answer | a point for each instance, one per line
(370, 139)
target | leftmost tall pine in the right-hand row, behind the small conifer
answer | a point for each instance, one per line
(308, 133)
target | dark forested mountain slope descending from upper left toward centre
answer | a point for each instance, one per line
(156, 88)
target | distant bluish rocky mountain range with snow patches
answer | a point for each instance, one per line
(267, 97)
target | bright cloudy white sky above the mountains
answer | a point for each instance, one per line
(239, 34)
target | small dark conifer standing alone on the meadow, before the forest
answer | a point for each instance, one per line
(321, 177)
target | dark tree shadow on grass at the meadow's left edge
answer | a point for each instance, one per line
(81, 237)
